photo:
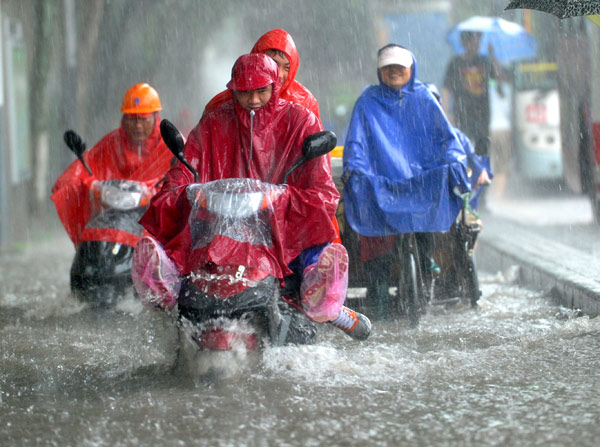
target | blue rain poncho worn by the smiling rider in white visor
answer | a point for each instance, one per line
(402, 160)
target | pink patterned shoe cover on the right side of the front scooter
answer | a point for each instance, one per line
(325, 283)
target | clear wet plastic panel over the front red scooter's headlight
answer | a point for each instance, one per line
(237, 208)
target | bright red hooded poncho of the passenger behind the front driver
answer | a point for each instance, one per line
(292, 90)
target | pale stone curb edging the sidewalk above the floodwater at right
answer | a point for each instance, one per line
(568, 275)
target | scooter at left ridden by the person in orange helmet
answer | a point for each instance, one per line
(101, 269)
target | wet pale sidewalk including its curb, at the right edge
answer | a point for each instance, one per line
(550, 234)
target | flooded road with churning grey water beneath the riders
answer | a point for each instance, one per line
(519, 371)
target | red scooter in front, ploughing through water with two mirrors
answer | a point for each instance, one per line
(223, 308)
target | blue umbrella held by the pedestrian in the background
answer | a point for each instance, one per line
(510, 41)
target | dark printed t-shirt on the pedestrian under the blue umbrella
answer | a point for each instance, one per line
(467, 80)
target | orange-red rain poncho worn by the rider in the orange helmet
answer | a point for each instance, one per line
(113, 157)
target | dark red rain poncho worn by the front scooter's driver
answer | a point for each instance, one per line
(219, 148)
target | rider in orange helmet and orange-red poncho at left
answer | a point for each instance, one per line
(134, 151)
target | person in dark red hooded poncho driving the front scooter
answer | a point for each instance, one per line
(258, 135)
